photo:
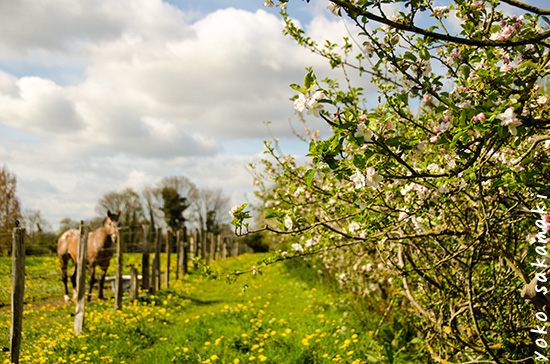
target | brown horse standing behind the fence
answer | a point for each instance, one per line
(99, 251)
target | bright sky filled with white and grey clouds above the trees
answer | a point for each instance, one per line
(99, 96)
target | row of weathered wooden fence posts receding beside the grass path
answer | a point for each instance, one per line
(188, 246)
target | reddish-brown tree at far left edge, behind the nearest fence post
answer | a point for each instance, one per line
(10, 209)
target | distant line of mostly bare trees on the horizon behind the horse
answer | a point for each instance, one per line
(171, 203)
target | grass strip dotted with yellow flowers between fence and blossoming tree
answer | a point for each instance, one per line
(284, 316)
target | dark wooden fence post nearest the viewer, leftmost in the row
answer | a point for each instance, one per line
(18, 291)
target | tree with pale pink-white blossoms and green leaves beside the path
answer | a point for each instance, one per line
(424, 195)
